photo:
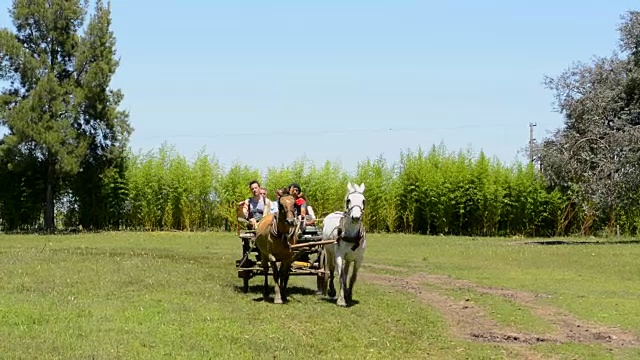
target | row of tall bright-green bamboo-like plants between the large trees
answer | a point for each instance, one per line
(433, 192)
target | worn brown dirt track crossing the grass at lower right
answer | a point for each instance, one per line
(470, 322)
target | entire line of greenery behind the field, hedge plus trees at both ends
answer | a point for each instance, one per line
(64, 159)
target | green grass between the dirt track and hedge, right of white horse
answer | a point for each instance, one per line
(598, 282)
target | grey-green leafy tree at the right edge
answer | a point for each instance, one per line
(595, 155)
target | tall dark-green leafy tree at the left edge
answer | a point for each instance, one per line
(57, 106)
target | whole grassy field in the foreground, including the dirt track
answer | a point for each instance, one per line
(176, 295)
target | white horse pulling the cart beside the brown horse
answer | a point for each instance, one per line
(347, 228)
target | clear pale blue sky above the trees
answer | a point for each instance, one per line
(416, 73)
